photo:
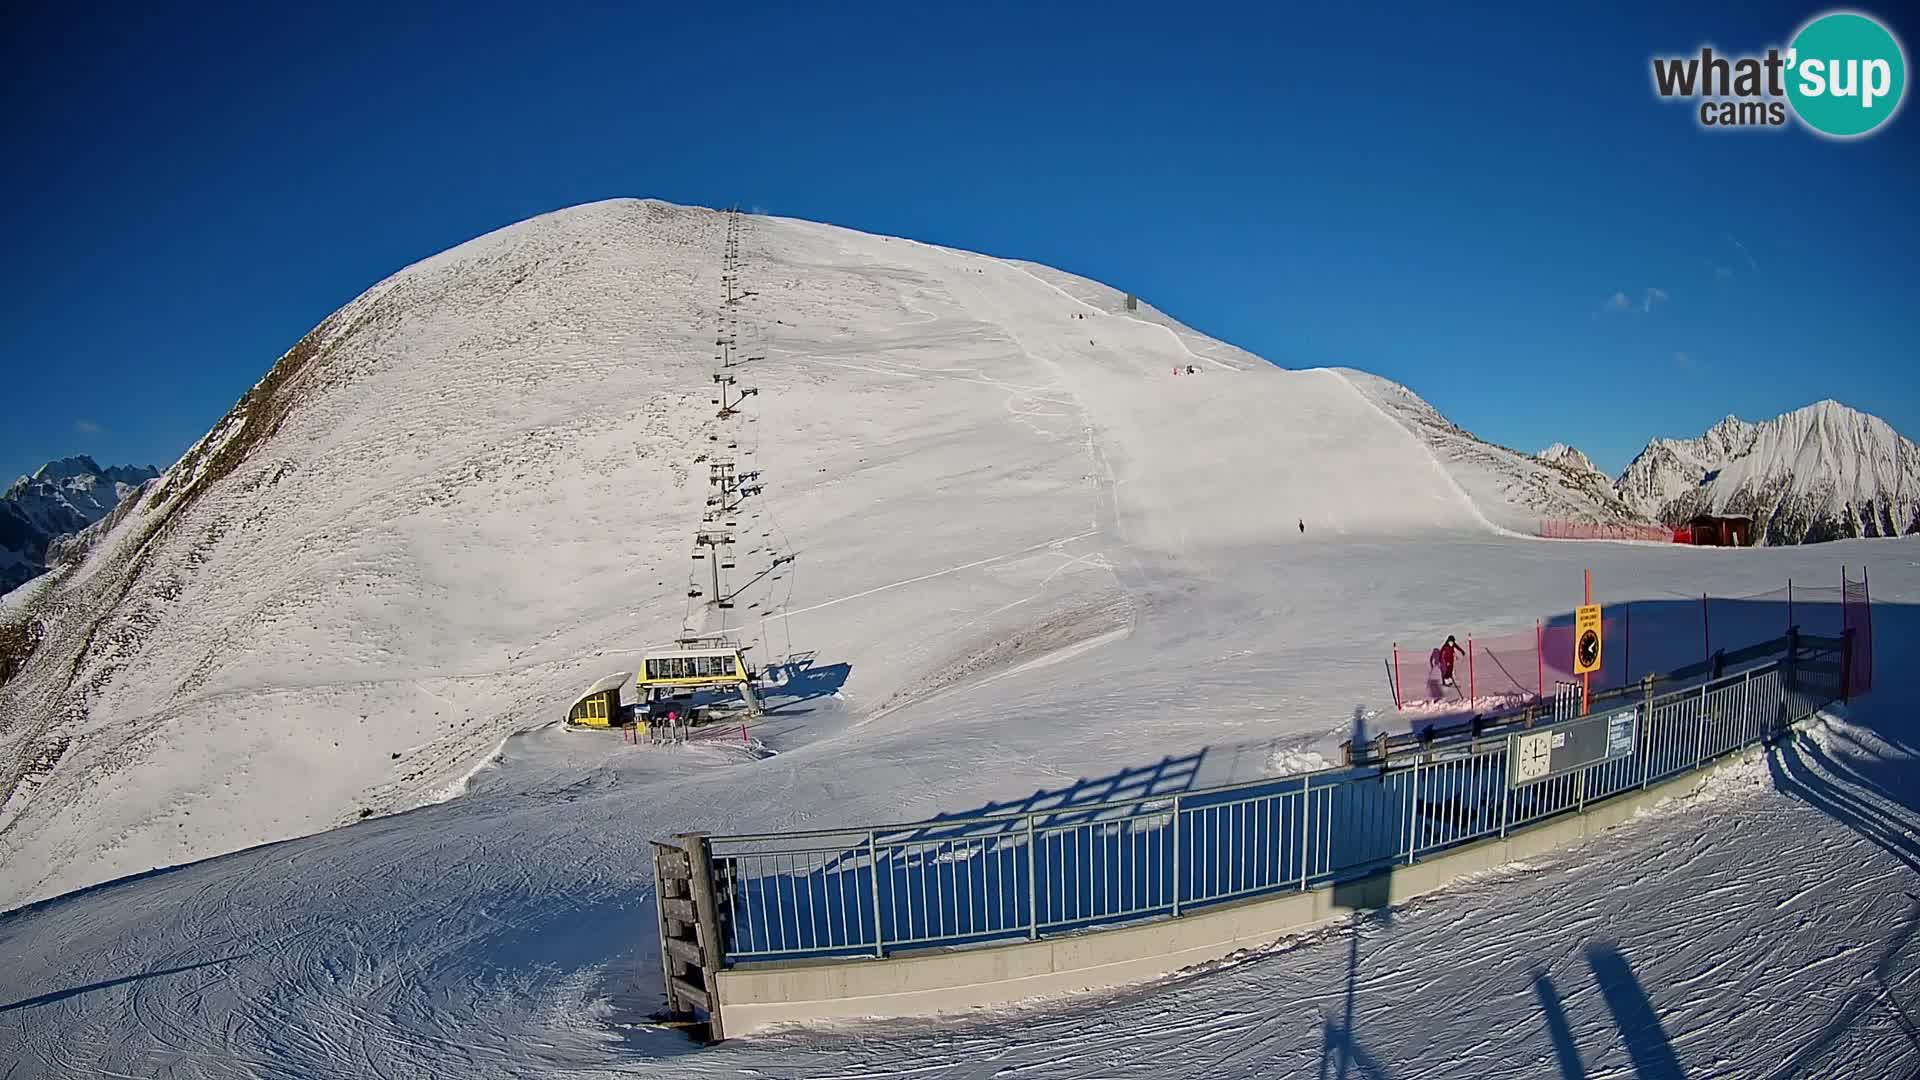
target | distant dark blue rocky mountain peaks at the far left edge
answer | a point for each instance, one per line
(60, 499)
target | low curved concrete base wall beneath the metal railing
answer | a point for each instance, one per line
(946, 981)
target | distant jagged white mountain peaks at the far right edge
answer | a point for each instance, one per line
(1819, 474)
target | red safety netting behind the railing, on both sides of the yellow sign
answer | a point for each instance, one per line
(1644, 637)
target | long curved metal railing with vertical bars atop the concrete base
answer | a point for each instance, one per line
(1030, 875)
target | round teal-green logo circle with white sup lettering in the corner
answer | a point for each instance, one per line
(1846, 74)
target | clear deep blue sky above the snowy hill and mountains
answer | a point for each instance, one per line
(1452, 203)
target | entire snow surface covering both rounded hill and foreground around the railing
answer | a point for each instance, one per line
(1028, 560)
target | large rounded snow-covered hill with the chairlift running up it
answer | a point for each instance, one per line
(473, 491)
